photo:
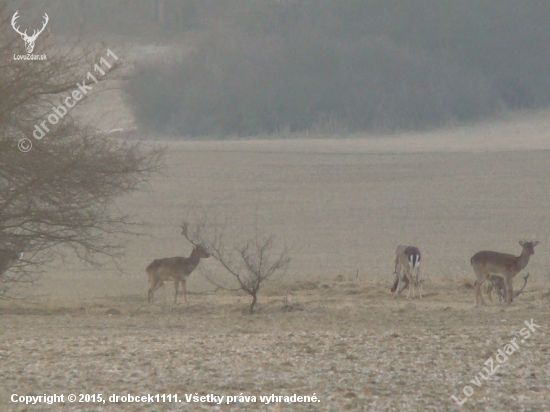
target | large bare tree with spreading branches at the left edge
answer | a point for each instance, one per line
(60, 194)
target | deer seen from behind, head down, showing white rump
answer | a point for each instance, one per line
(407, 260)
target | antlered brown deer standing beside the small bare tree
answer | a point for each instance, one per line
(176, 268)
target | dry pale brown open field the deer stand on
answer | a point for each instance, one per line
(341, 207)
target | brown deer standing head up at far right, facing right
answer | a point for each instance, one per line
(487, 263)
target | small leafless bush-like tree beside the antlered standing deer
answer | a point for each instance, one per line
(251, 263)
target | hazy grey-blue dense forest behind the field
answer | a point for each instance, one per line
(271, 66)
